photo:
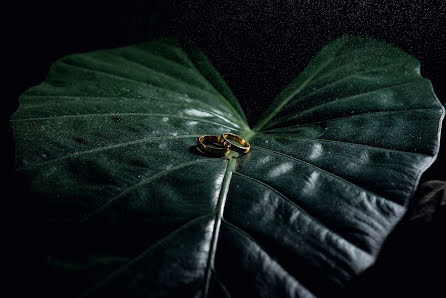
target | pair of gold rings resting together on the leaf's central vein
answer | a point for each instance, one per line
(220, 145)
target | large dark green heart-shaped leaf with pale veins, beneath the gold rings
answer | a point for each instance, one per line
(107, 142)
